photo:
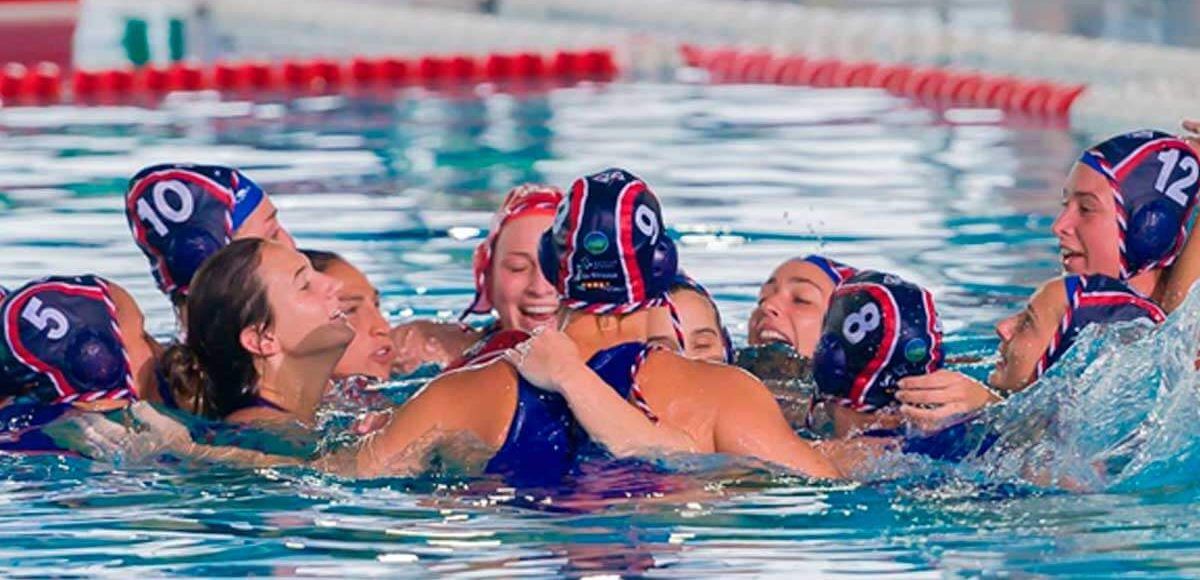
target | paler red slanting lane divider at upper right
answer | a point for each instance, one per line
(1036, 98)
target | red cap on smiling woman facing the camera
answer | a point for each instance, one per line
(526, 200)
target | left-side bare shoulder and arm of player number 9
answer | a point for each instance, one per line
(476, 402)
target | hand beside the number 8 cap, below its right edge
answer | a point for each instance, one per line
(938, 400)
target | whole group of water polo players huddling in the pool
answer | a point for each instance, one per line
(598, 339)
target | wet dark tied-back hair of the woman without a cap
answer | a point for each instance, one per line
(211, 374)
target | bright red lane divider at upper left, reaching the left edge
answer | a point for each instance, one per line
(45, 83)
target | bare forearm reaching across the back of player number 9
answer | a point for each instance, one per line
(615, 423)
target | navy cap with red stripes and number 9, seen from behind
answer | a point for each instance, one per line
(609, 252)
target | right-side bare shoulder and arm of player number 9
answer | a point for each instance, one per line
(727, 410)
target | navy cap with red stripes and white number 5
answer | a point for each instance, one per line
(62, 343)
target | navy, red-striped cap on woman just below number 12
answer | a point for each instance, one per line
(1096, 300)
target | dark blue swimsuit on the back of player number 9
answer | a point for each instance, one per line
(545, 440)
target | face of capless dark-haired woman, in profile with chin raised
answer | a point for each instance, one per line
(304, 302)
